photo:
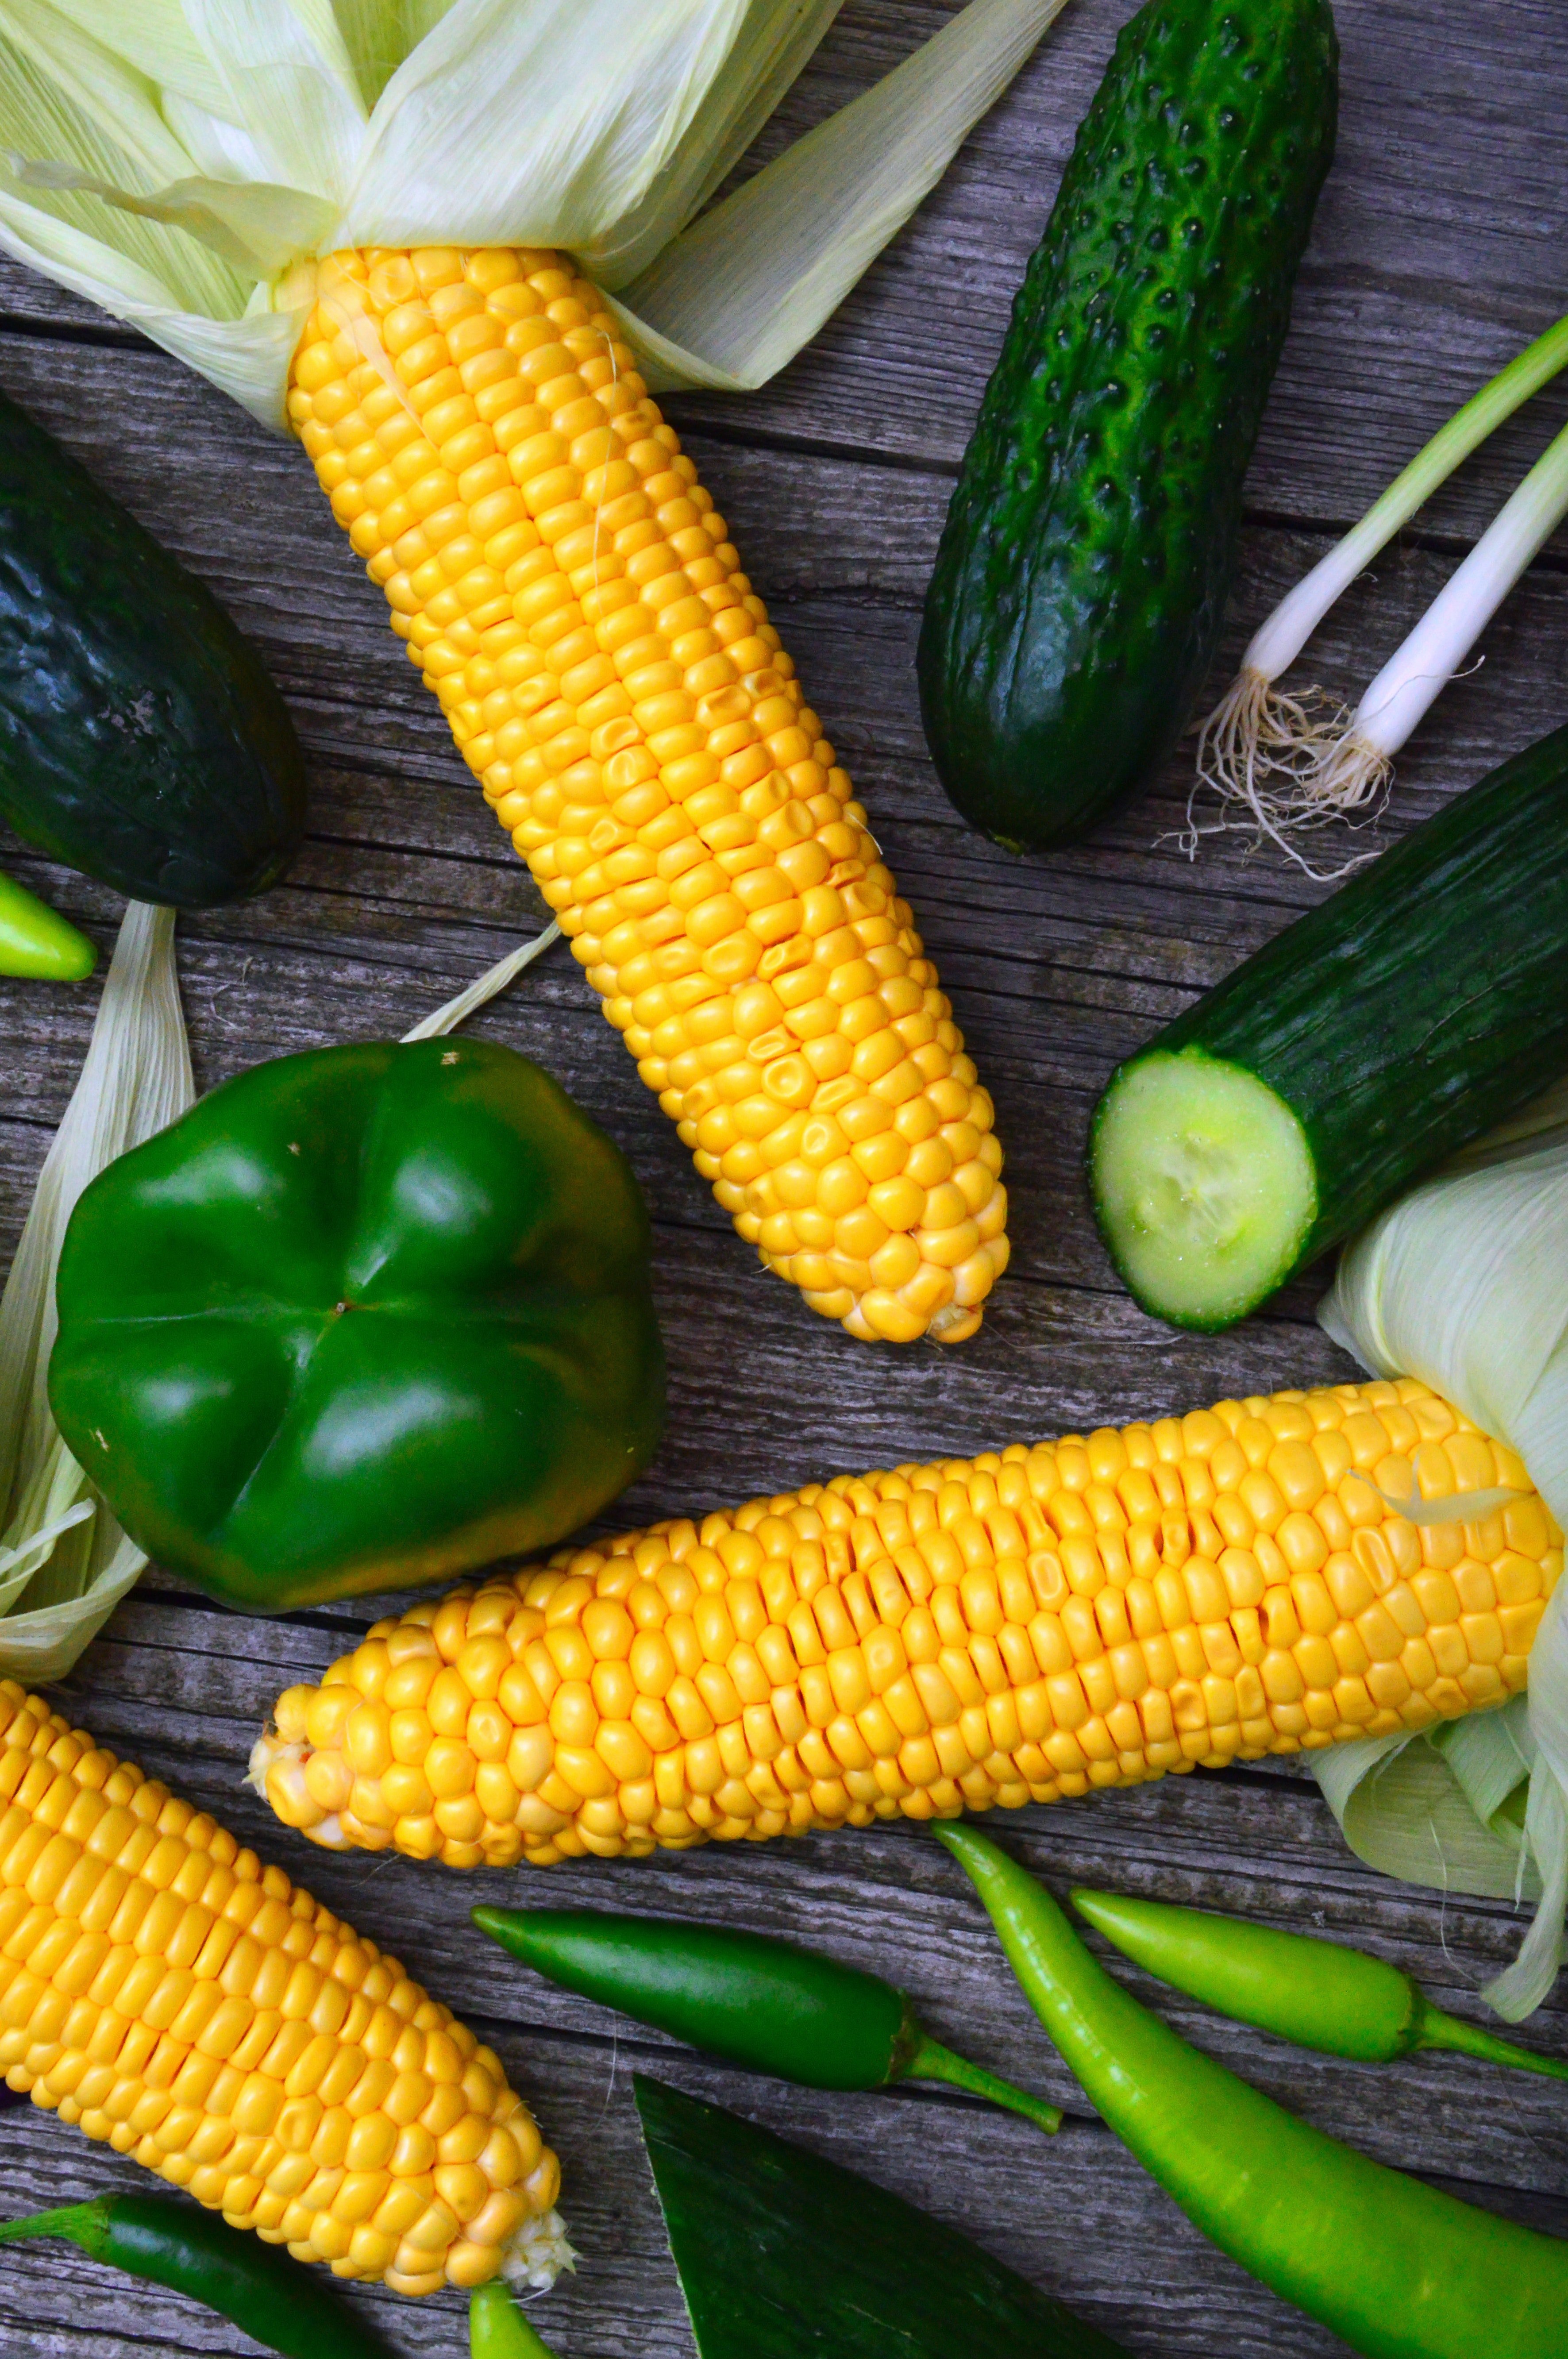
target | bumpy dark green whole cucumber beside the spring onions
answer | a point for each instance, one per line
(1091, 546)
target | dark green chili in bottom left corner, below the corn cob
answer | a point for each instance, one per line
(176, 2245)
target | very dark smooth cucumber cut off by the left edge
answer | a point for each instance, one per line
(140, 735)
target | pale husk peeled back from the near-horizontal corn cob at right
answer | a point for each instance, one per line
(1465, 1284)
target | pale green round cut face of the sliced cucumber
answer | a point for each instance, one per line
(1204, 1183)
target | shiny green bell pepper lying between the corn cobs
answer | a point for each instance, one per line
(360, 1320)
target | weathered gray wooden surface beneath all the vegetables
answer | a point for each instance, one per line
(1437, 254)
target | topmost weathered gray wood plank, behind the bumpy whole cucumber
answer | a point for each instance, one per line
(1435, 251)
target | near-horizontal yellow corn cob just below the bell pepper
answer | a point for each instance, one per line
(1013, 1629)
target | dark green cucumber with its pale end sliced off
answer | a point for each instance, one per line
(1369, 1041)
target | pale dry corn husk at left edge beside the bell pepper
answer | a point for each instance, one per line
(65, 1563)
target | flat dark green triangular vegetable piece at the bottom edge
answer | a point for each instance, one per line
(784, 2256)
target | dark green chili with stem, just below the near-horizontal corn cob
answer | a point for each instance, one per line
(749, 1999)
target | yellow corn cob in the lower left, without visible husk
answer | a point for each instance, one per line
(166, 1992)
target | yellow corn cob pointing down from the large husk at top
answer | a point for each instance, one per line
(572, 598)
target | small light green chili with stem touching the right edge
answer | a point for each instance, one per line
(1317, 1995)
